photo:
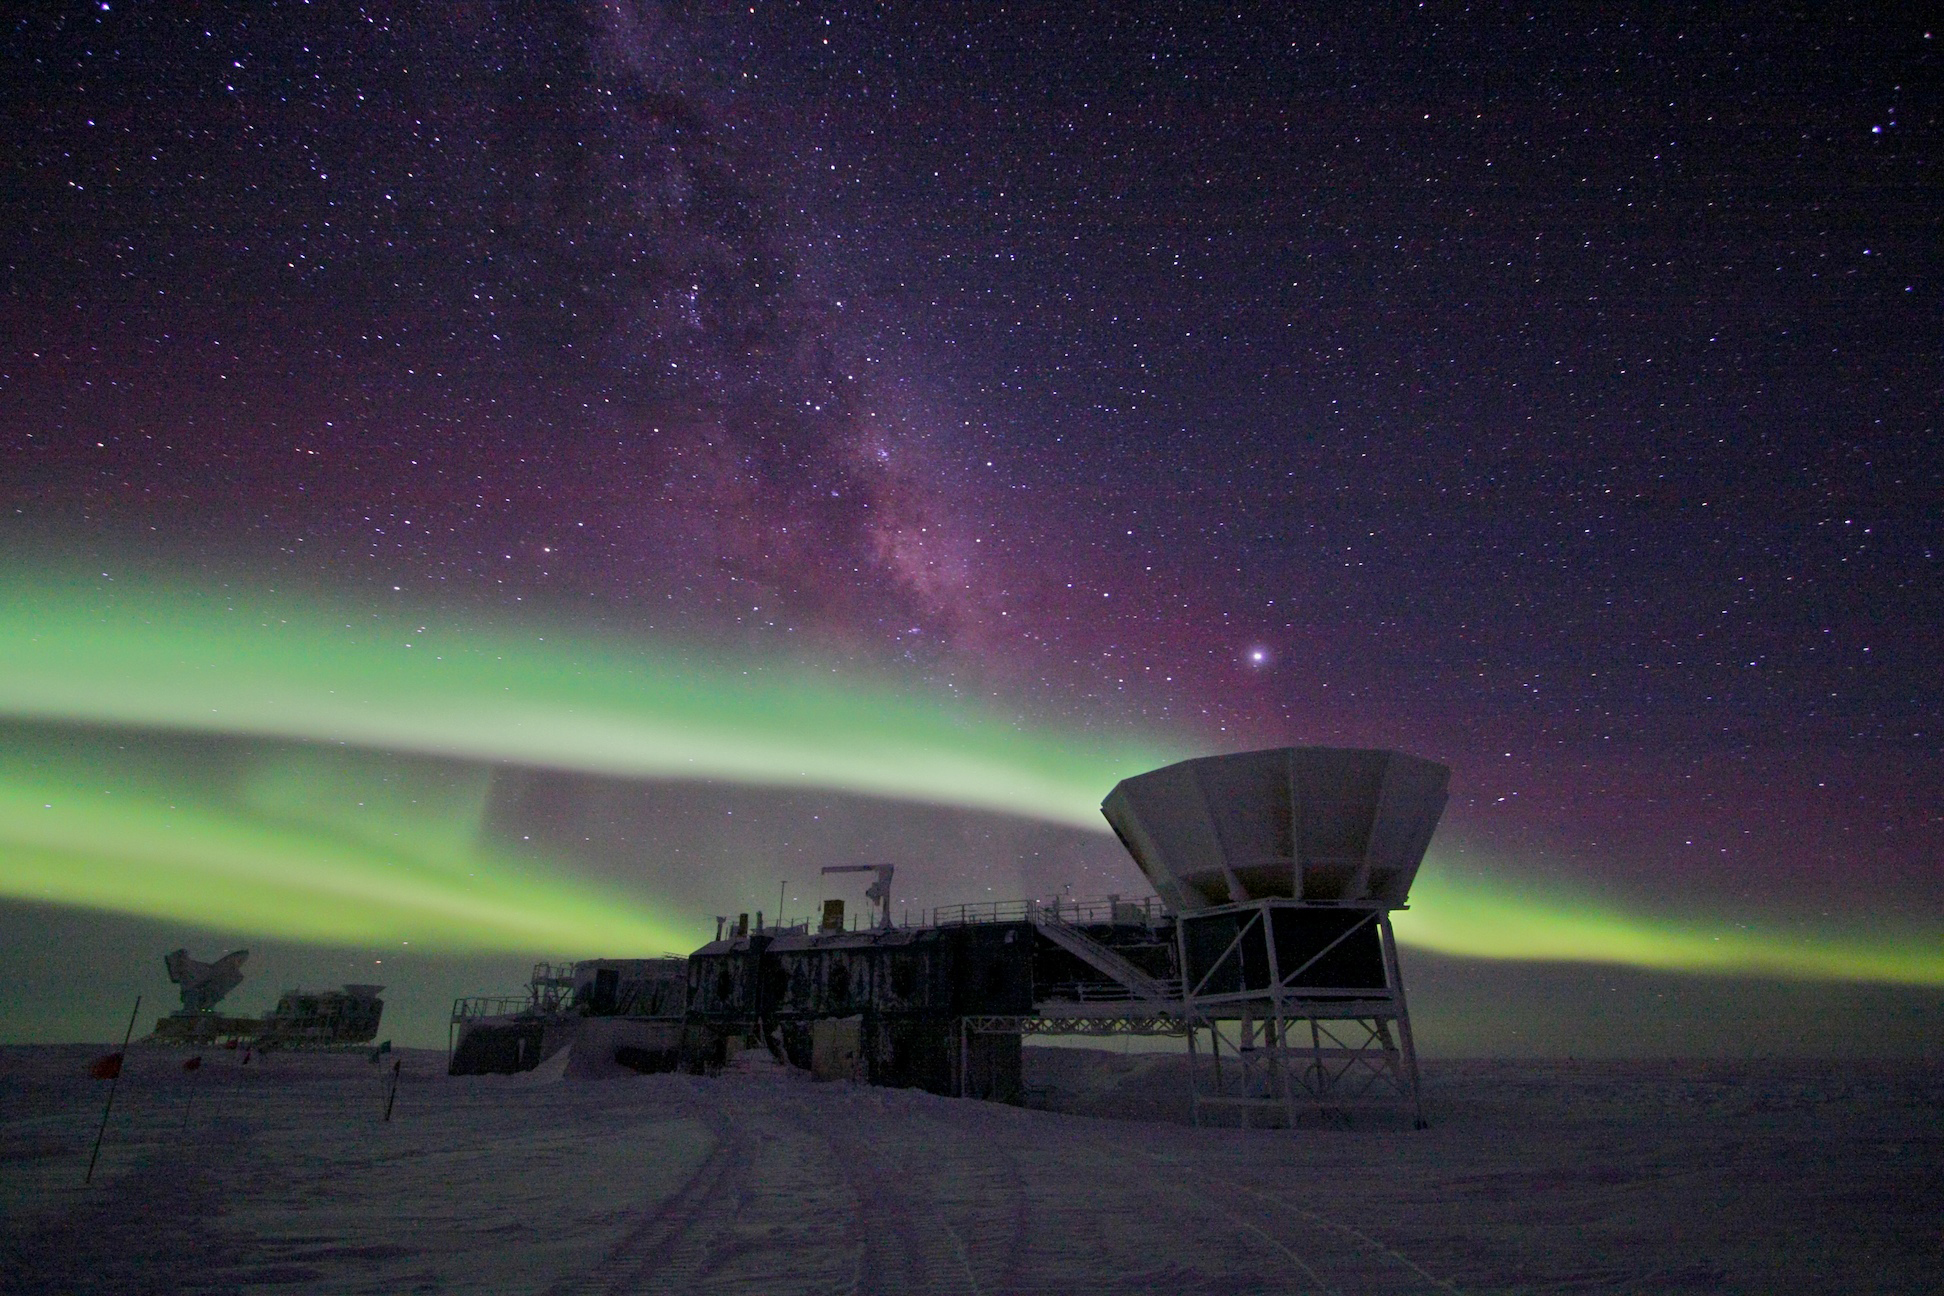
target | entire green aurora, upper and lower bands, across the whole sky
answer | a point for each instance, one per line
(359, 833)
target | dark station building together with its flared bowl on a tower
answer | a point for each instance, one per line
(1268, 941)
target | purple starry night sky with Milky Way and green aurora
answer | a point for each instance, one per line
(814, 432)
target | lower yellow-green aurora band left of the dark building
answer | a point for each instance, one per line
(322, 846)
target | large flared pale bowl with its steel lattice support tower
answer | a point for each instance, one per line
(1282, 870)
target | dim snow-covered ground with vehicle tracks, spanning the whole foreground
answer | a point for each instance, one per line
(1595, 1177)
